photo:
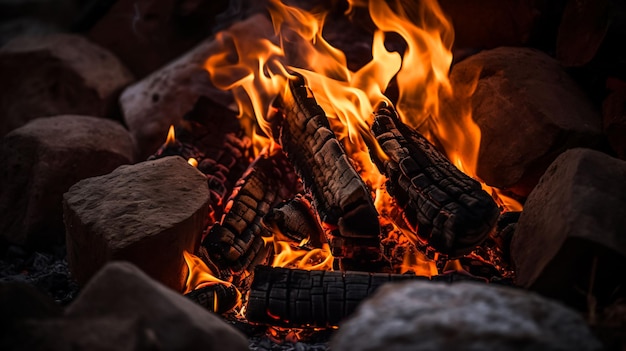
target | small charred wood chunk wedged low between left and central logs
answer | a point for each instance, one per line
(295, 221)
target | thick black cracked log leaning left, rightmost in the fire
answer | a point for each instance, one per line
(447, 208)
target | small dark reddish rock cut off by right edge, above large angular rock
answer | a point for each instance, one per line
(614, 121)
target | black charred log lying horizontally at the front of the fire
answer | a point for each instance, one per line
(297, 298)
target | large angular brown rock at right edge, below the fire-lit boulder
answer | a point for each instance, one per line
(569, 241)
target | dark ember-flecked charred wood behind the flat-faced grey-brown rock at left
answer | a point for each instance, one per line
(213, 136)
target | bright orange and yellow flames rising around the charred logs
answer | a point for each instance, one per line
(256, 64)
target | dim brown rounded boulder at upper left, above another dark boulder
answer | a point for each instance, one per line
(57, 74)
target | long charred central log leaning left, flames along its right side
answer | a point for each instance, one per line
(340, 196)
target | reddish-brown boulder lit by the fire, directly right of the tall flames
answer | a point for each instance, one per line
(528, 110)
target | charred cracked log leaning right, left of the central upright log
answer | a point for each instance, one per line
(235, 243)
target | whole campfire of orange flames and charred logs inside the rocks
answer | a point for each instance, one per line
(343, 180)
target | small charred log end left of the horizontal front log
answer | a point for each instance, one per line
(218, 298)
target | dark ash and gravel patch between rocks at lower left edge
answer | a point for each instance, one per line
(46, 271)
